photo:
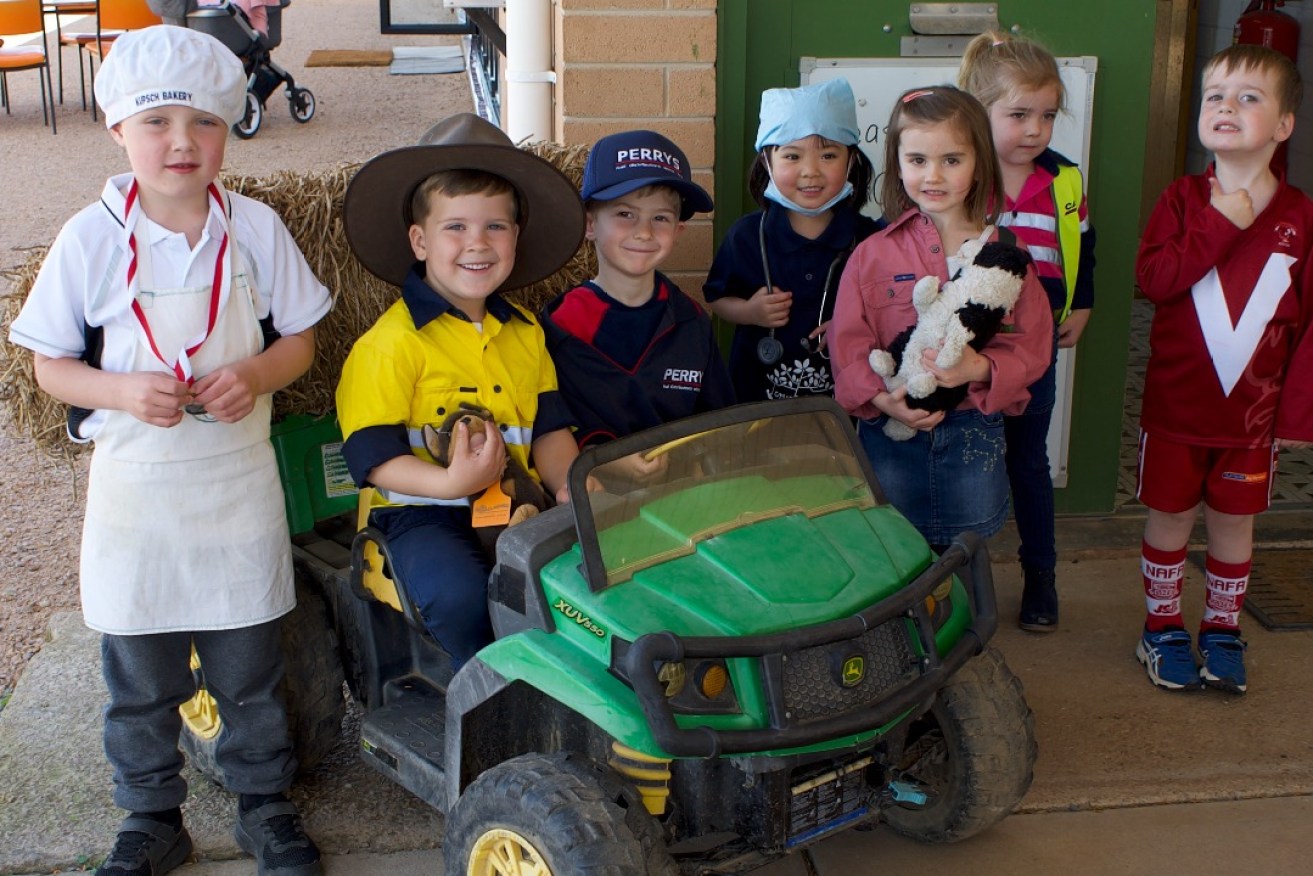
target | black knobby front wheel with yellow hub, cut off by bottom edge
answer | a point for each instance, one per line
(559, 815)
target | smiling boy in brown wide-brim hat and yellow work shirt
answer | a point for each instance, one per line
(455, 223)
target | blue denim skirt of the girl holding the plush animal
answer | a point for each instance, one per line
(945, 481)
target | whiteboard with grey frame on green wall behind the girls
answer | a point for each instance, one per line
(879, 82)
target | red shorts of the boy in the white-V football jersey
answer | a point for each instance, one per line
(1177, 477)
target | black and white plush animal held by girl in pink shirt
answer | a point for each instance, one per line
(967, 311)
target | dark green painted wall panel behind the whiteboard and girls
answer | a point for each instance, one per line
(761, 45)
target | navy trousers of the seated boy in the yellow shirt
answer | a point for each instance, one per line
(444, 571)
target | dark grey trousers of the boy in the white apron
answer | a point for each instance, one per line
(149, 677)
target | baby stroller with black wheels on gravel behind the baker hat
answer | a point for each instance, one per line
(230, 26)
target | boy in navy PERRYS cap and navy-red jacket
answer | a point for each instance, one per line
(631, 350)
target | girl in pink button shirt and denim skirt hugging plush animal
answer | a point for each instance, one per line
(942, 188)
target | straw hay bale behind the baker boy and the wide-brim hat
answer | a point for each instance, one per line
(311, 206)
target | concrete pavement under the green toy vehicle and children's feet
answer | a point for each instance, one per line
(1127, 774)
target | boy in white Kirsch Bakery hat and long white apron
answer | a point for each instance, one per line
(166, 315)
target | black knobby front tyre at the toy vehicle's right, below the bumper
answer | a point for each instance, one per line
(975, 749)
